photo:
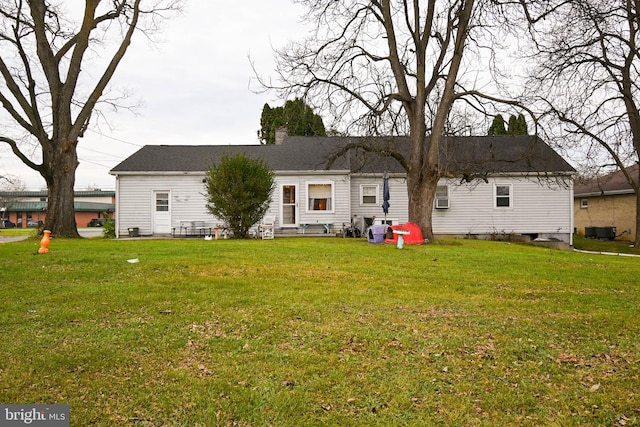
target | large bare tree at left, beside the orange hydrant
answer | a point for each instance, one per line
(56, 61)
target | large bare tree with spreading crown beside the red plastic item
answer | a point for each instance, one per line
(391, 67)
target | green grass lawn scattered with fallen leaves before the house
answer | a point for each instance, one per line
(320, 331)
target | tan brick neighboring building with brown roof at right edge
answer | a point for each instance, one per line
(607, 201)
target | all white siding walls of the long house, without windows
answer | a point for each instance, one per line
(537, 207)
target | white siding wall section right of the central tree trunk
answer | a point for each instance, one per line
(538, 207)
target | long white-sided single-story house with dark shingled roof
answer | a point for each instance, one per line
(518, 185)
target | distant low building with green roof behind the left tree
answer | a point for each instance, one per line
(29, 208)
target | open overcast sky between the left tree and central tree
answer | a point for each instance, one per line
(194, 86)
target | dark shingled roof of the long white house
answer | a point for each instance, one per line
(459, 155)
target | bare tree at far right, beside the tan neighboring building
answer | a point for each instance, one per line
(587, 77)
